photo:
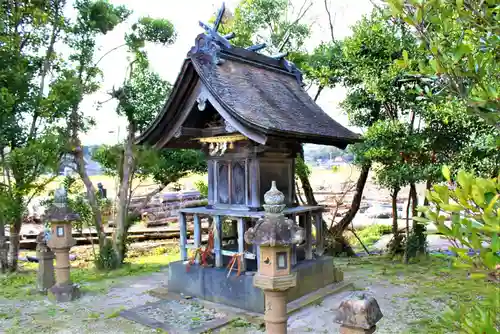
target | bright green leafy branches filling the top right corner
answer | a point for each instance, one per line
(459, 40)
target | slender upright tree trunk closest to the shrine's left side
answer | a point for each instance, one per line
(122, 222)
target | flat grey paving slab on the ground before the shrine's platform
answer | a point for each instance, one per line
(178, 317)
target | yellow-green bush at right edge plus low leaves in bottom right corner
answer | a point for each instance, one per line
(474, 206)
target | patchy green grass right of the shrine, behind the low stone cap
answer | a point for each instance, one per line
(433, 283)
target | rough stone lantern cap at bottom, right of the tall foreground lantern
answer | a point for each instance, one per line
(359, 310)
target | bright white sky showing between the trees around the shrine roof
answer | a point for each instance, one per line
(167, 61)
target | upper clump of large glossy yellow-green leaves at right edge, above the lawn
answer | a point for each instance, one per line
(474, 207)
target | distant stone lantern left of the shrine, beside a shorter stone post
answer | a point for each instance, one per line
(60, 240)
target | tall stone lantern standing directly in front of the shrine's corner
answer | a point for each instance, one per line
(275, 234)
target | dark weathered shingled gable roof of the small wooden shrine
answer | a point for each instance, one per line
(261, 93)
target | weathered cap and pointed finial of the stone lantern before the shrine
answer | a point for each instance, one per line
(274, 229)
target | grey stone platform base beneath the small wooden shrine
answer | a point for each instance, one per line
(212, 284)
